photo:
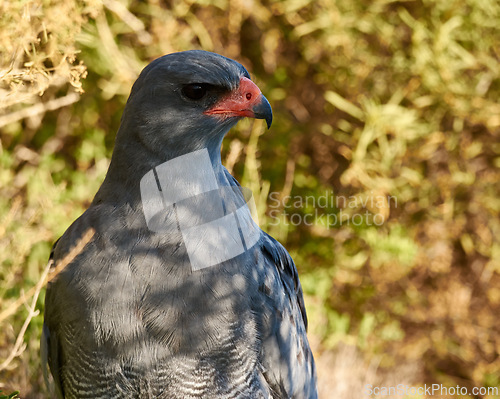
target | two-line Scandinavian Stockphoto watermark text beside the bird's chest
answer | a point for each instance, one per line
(330, 210)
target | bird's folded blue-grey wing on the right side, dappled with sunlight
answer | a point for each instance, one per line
(287, 361)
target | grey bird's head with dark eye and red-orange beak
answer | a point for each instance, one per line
(186, 101)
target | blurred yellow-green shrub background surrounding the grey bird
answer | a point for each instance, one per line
(391, 106)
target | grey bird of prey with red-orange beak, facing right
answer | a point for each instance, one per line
(178, 294)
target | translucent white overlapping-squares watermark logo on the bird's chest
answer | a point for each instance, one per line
(183, 195)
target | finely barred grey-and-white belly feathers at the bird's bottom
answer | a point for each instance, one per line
(177, 377)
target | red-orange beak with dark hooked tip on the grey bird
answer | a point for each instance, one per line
(246, 100)
